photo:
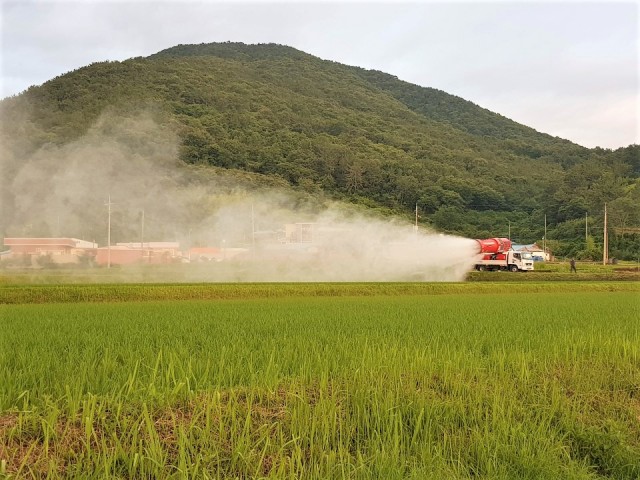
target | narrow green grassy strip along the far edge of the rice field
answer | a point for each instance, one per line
(97, 293)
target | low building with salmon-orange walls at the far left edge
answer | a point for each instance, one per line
(58, 250)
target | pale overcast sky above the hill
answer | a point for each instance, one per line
(568, 69)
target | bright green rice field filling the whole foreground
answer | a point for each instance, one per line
(321, 381)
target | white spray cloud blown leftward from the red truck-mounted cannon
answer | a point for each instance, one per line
(229, 228)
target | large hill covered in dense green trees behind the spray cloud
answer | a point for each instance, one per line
(352, 134)
